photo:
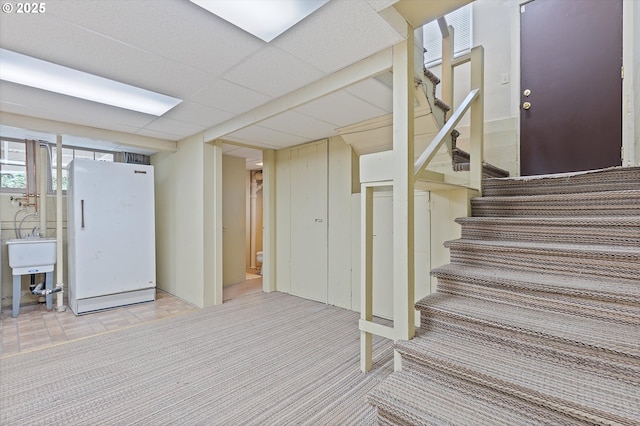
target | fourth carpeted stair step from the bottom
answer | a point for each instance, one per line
(511, 288)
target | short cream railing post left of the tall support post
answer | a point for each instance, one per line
(366, 274)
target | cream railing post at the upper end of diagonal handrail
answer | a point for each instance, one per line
(476, 149)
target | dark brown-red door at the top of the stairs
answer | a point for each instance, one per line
(571, 61)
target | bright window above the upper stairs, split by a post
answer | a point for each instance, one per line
(460, 20)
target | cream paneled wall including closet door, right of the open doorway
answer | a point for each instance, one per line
(313, 221)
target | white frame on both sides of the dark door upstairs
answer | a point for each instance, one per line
(627, 108)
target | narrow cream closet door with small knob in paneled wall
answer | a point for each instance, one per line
(309, 182)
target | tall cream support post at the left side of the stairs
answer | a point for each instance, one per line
(403, 196)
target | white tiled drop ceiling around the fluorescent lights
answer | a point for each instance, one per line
(177, 48)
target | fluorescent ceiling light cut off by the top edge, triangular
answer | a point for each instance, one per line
(265, 19)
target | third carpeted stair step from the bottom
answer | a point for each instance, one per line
(565, 329)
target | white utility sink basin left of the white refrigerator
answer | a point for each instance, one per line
(32, 252)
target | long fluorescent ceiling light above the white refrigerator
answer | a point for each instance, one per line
(28, 71)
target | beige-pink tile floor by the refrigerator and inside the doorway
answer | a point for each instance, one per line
(36, 328)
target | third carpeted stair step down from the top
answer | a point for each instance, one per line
(612, 230)
